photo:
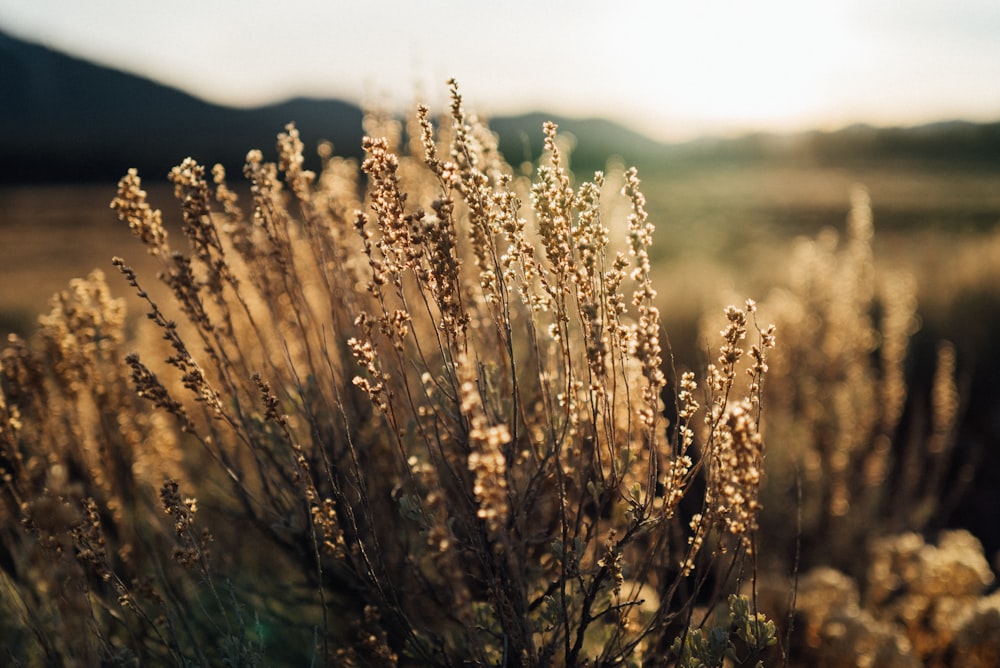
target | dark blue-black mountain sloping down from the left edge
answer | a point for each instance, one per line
(66, 119)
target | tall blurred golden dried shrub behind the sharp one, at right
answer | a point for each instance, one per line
(838, 398)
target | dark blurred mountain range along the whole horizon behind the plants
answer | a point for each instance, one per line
(64, 119)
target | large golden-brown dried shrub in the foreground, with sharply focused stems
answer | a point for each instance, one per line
(422, 402)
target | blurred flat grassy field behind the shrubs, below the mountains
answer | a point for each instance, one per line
(720, 229)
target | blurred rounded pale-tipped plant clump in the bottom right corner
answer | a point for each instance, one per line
(917, 605)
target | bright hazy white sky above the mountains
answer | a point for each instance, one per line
(672, 68)
